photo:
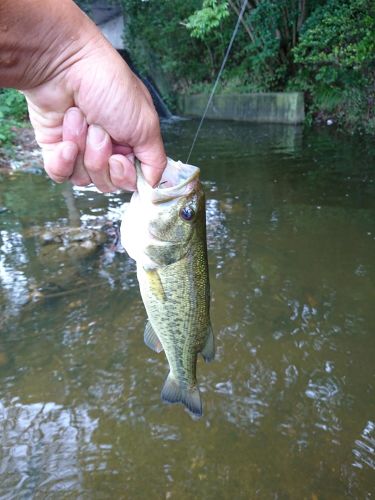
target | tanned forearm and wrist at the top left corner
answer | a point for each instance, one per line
(39, 39)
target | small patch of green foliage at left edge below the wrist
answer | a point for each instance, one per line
(13, 112)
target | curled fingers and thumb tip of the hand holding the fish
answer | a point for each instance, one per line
(87, 155)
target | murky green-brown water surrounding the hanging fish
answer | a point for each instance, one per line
(289, 404)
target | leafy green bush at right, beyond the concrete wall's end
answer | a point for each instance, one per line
(336, 62)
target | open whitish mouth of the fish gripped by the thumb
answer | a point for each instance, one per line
(178, 180)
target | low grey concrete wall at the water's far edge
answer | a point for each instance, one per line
(270, 107)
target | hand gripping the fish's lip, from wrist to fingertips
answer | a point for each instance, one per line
(91, 119)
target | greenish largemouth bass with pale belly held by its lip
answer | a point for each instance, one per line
(164, 230)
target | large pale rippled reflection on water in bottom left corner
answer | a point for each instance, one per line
(41, 443)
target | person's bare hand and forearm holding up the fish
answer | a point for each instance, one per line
(91, 114)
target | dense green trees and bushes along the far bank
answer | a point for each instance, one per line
(325, 48)
